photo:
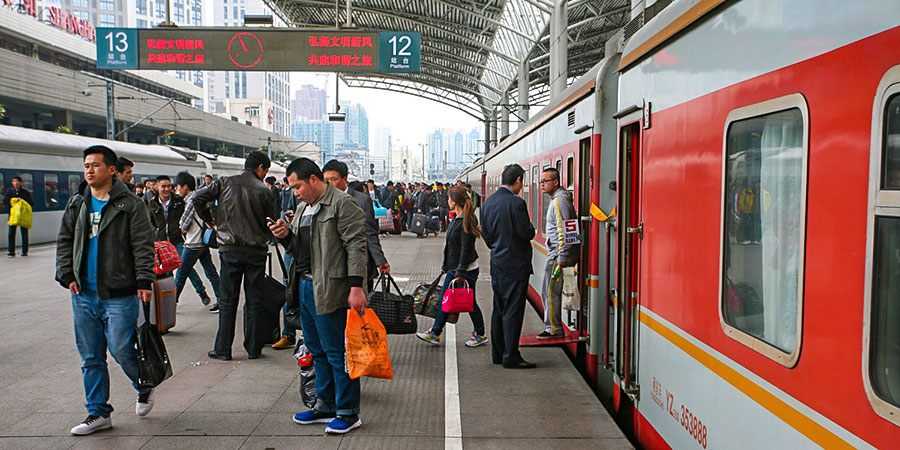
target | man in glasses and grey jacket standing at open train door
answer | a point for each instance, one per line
(560, 254)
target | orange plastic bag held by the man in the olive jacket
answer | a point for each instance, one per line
(367, 353)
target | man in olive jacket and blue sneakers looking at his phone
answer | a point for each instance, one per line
(328, 275)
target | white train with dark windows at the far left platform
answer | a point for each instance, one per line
(50, 167)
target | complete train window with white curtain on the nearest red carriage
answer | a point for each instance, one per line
(763, 227)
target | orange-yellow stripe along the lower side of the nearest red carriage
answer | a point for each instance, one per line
(799, 421)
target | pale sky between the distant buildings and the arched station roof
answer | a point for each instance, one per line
(410, 118)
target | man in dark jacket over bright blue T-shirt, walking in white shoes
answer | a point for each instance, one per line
(104, 257)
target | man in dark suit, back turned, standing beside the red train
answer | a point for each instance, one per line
(508, 232)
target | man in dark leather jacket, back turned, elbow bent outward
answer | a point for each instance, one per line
(244, 204)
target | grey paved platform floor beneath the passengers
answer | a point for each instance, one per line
(244, 404)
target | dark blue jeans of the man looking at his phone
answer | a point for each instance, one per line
(324, 337)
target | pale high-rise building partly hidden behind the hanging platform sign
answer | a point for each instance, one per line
(245, 93)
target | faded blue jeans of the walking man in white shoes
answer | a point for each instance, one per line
(102, 324)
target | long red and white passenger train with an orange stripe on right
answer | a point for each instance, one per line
(747, 293)
